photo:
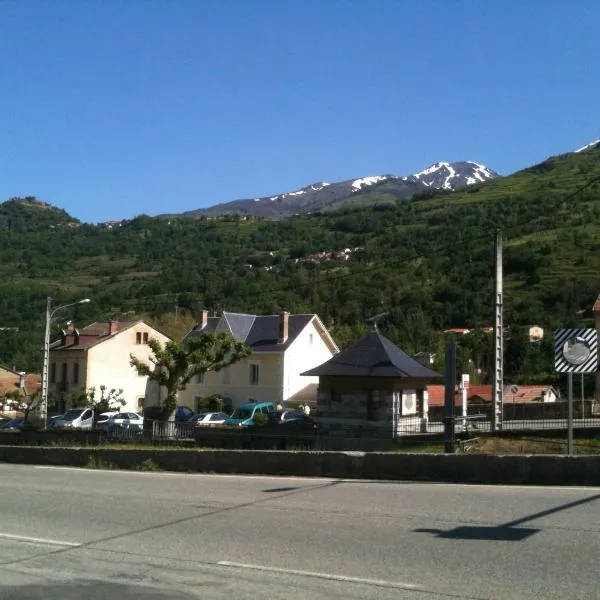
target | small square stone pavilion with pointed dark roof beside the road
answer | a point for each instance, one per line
(372, 389)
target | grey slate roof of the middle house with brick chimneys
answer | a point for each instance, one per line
(261, 333)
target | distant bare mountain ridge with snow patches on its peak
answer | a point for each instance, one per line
(327, 196)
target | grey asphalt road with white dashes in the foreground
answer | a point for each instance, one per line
(70, 534)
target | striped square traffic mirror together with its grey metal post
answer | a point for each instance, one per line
(575, 351)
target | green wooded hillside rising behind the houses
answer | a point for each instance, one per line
(428, 261)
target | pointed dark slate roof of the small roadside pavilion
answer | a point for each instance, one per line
(373, 356)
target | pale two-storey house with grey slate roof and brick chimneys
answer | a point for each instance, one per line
(283, 346)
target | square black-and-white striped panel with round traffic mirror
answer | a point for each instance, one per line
(575, 351)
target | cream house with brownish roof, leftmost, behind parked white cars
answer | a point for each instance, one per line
(98, 354)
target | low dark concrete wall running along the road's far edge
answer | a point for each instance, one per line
(487, 469)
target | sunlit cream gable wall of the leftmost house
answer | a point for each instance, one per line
(108, 363)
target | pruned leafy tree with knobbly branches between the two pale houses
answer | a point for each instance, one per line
(174, 364)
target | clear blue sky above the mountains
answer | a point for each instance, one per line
(117, 108)
